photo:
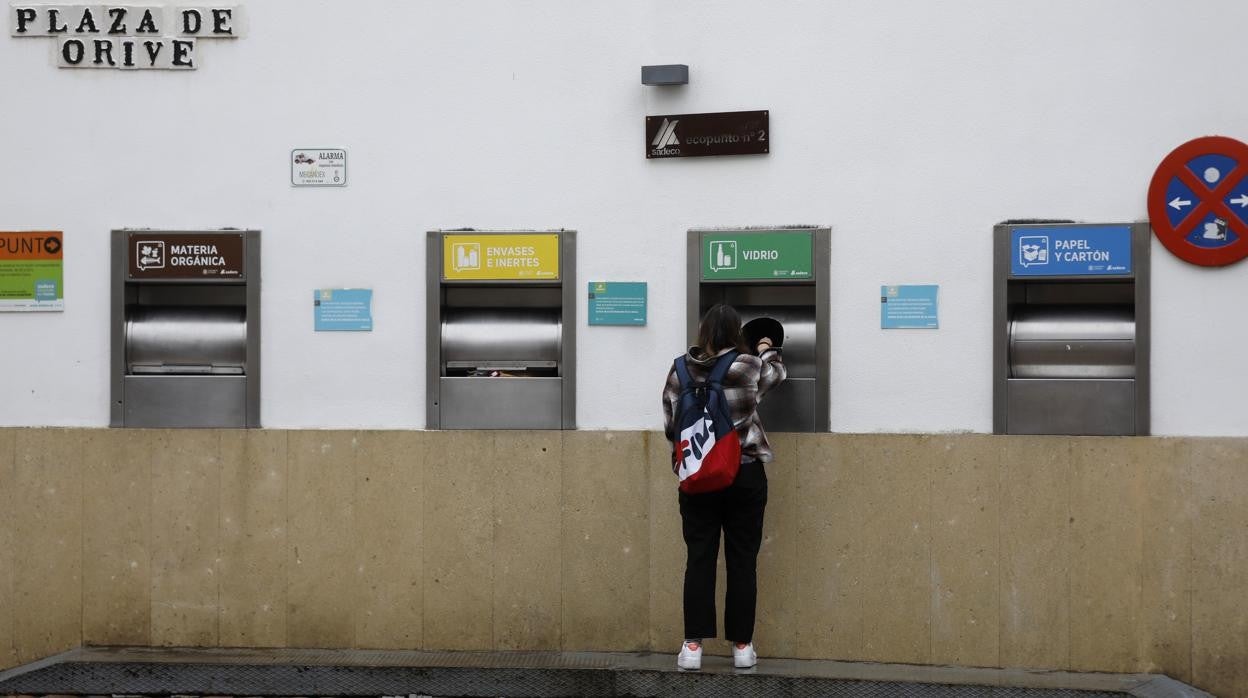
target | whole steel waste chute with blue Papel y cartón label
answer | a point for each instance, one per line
(1071, 338)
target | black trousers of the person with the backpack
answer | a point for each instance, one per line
(738, 513)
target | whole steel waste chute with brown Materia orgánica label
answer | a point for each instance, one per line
(185, 329)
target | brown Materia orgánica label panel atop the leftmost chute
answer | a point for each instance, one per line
(168, 255)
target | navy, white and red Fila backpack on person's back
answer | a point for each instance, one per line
(707, 453)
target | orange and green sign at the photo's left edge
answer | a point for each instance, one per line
(32, 272)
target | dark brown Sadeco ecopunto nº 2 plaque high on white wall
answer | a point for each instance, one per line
(692, 135)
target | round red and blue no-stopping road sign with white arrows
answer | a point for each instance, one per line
(1199, 202)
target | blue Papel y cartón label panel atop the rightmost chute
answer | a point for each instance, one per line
(1070, 252)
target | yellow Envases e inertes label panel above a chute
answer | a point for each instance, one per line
(501, 258)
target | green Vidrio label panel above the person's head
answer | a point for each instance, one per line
(757, 255)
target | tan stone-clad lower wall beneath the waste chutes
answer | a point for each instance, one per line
(1116, 555)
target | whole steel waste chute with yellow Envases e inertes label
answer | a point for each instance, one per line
(501, 338)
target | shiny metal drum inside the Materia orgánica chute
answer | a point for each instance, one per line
(187, 340)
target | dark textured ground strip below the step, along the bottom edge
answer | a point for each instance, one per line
(130, 679)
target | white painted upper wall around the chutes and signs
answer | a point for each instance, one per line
(908, 127)
